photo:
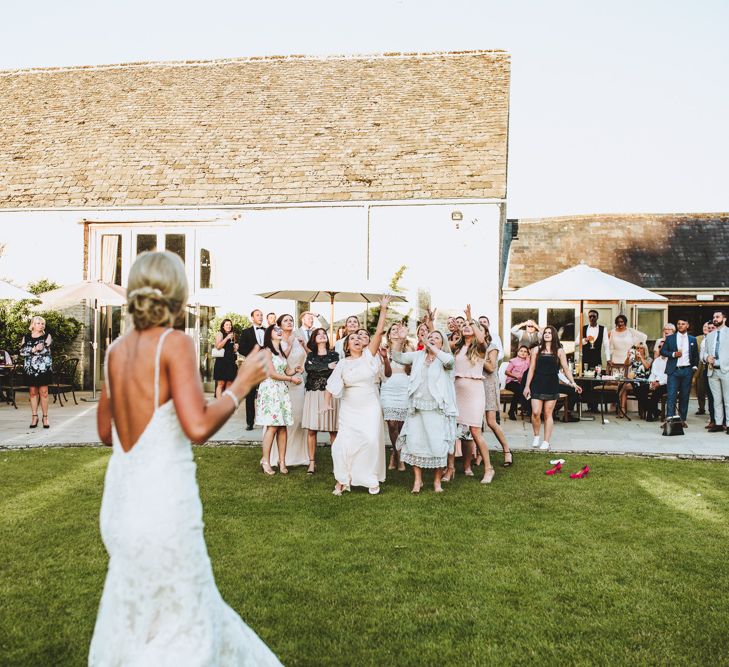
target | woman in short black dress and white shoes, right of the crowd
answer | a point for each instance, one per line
(542, 384)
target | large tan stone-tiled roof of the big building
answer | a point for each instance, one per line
(256, 130)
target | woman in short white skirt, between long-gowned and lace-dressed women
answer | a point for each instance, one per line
(394, 391)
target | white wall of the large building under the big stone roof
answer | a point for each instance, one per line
(259, 249)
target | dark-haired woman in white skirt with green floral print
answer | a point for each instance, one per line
(273, 403)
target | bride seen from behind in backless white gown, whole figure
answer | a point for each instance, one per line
(160, 604)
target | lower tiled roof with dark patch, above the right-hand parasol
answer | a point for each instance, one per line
(655, 251)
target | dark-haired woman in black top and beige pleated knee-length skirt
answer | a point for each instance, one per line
(319, 364)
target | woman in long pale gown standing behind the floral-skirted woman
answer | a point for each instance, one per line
(296, 437)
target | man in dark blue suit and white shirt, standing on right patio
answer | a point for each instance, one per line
(682, 352)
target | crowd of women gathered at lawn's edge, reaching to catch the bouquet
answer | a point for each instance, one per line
(434, 395)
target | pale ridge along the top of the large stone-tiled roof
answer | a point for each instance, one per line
(245, 59)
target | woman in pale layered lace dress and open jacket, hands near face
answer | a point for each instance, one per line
(429, 432)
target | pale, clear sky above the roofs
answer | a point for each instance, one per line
(615, 107)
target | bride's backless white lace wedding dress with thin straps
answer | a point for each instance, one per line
(160, 604)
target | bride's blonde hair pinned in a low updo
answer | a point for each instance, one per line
(156, 290)
